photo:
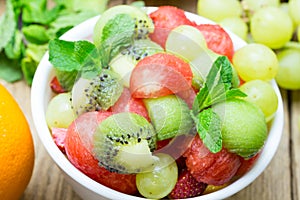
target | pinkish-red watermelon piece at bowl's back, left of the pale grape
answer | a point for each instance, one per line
(165, 18)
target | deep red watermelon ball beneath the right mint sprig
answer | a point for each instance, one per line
(211, 168)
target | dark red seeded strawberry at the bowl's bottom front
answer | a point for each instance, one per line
(187, 186)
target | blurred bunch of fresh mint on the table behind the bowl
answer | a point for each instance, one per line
(32, 23)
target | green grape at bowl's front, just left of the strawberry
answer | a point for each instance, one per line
(159, 182)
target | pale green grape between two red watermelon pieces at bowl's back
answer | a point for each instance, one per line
(186, 41)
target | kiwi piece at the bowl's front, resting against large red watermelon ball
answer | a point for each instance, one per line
(123, 143)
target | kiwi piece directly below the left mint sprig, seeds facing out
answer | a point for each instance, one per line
(98, 93)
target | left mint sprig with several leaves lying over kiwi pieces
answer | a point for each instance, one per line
(82, 58)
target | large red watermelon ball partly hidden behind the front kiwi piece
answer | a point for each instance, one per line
(78, 148)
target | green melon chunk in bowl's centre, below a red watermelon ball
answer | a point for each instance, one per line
(170, 116)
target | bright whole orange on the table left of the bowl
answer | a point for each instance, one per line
(16, 148)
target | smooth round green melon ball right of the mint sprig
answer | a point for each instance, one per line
(244, 129)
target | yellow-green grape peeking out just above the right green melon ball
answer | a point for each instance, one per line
(262, 94)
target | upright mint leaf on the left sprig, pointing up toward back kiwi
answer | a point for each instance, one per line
(116, 34)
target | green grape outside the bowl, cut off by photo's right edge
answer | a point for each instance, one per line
(289, 69)
